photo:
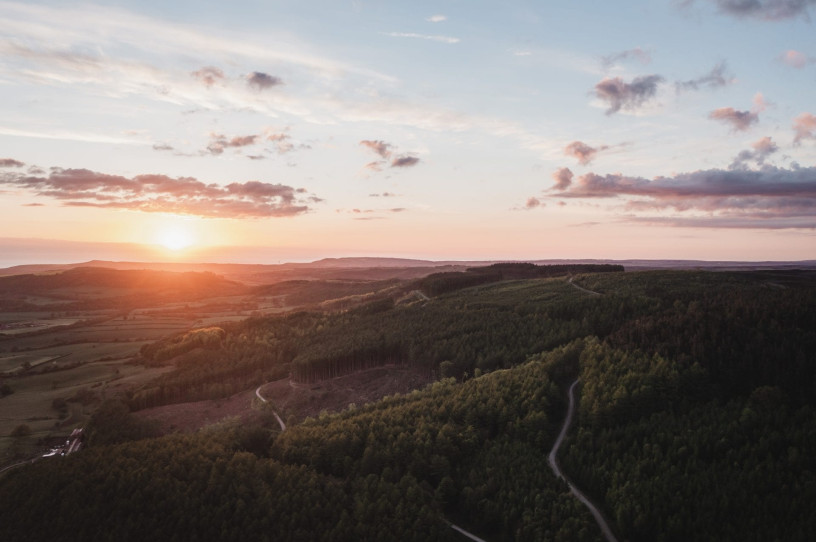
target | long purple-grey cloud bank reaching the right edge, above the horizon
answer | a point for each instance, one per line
(759, 198)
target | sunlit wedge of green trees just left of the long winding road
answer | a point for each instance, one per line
(480, 447)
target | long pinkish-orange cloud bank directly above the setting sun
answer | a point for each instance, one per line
(155, 193)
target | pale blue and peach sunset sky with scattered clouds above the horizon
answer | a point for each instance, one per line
(270, 131)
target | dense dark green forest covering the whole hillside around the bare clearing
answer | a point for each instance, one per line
(696, 421)
